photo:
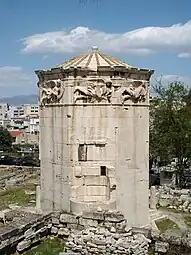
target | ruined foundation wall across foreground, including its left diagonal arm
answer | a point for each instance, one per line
(89, 233)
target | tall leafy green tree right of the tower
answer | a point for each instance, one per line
(170, 126)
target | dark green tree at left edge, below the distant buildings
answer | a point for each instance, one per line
(5, 139)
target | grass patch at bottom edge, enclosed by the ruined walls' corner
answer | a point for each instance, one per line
(47, 247)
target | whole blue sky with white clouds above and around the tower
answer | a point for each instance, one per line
(40, 34)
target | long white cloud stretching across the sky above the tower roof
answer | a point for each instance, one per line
(143, 41)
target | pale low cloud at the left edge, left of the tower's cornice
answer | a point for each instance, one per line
(13, 76)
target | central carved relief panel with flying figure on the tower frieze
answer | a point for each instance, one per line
(94, 91)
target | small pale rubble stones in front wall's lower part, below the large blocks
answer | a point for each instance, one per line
(102, 241)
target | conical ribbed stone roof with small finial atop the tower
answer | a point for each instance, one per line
(93, 61)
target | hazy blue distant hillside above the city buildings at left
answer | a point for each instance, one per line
(22, 99)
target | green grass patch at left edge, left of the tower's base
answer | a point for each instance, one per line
(17, 196)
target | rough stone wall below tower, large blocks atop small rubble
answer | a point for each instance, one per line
(99, 232)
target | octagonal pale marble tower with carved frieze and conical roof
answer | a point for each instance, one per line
(94, 136)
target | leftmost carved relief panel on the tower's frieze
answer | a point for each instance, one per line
(50, 92)
